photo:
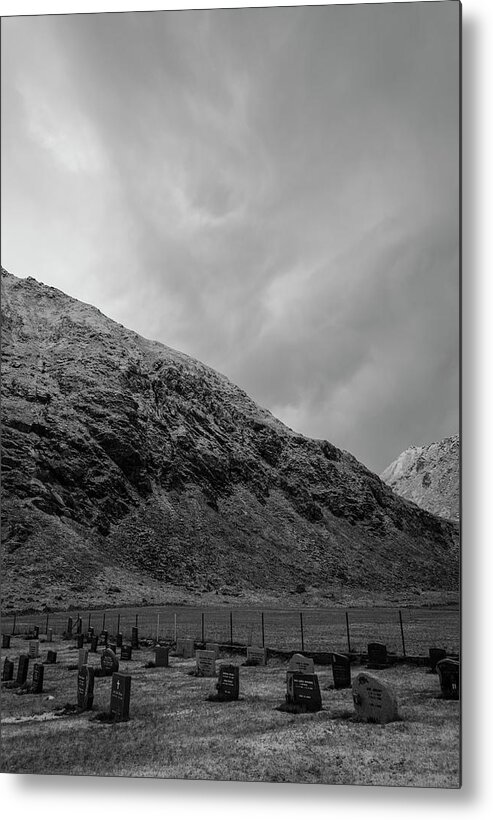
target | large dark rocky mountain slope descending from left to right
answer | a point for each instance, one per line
(132, 473)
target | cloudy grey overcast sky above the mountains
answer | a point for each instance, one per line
(273, 191)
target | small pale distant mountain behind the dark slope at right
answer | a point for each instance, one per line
(429, 476)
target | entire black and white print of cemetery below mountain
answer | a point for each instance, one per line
(231, 394)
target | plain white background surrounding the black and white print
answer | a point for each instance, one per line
(55, 796)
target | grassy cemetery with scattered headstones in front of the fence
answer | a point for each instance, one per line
(180, 707)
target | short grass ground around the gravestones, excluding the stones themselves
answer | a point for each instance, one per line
(174, 732)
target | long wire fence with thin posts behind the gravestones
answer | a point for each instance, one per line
(405, 632)
